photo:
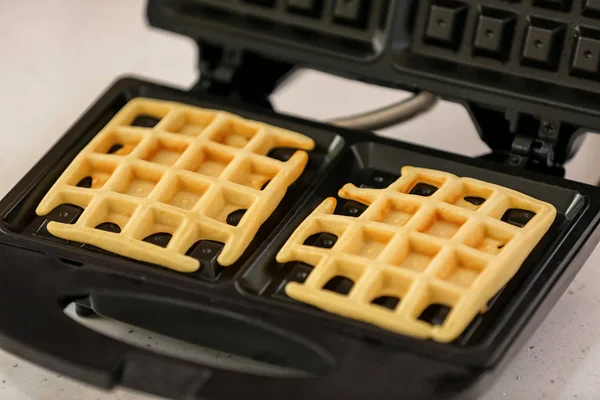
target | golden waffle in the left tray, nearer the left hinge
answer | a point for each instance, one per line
(160, 168)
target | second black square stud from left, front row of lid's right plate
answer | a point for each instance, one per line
(494, 33)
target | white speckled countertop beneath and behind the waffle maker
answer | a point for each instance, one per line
(58, 56)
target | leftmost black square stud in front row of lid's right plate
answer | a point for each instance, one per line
(446, 23)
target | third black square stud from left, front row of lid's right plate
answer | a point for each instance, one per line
(543, 43)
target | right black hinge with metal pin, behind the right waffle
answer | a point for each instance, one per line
(527, 141)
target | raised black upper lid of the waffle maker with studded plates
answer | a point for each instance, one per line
(523, 69)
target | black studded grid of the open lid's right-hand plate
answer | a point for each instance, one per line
(555, 41)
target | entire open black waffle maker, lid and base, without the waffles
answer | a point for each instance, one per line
(528, 72)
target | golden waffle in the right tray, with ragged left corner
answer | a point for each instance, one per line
(430, 240)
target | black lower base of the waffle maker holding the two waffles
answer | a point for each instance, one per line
(242, 309)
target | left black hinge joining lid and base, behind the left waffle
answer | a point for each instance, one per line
(235, 72)
